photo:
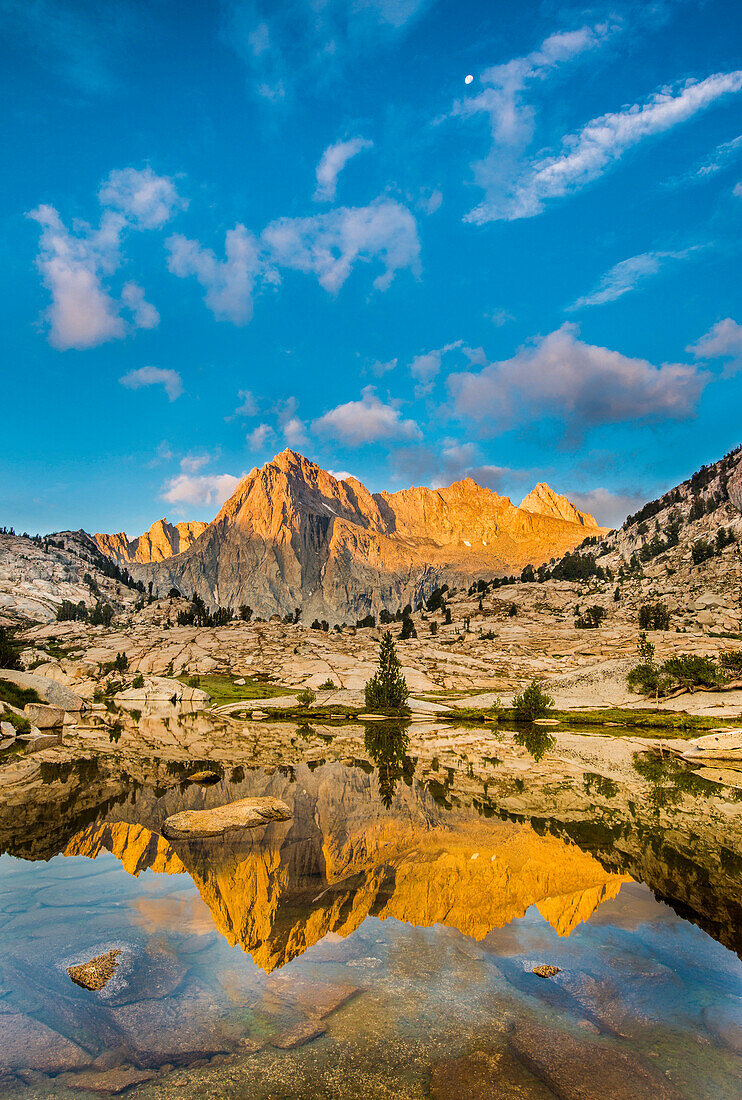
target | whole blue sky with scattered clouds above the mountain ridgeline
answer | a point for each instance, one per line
(232, 228)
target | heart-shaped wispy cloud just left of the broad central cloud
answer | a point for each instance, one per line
(229, 283)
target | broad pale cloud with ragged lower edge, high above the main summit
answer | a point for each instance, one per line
(329, 245)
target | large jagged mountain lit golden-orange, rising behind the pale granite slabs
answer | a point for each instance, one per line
(294, 536)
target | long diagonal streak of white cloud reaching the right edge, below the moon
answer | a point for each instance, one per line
(592, 151)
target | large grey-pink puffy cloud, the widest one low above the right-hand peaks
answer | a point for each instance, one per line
(577, 383)
